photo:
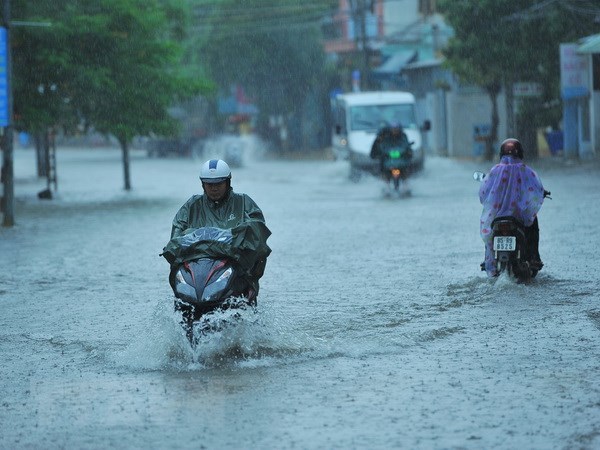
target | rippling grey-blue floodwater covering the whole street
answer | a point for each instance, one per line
(375, 328)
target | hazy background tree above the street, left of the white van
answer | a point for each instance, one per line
(272, 48)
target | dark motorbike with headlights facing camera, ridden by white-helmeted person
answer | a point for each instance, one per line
(208, 281)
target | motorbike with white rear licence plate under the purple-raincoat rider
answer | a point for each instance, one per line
(512, 251)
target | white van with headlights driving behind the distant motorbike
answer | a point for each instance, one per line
(358, 116)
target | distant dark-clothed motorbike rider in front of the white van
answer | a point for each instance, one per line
(390, 137)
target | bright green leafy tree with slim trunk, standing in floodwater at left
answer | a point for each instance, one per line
(130, 73)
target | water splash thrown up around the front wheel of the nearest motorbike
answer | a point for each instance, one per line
(240, 337)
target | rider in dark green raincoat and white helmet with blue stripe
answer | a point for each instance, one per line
(220, 207)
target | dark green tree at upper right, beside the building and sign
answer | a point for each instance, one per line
(499, 43)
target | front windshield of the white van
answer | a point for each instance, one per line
(373, 117)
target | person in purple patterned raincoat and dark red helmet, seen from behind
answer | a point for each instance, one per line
(511, 189)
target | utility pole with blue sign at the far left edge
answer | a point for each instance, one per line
(6, 121)
